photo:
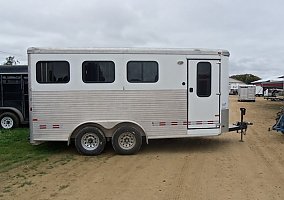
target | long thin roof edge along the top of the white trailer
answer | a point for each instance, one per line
(173, 51)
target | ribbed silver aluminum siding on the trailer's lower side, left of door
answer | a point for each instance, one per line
(68, 109)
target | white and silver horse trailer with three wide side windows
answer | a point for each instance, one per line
(95, 95)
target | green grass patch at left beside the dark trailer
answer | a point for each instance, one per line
(16, 150)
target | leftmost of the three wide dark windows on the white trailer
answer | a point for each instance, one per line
(52, 72)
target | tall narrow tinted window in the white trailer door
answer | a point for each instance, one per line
(203, 79)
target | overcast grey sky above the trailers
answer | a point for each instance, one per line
(252, 30)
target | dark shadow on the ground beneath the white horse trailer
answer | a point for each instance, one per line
(172, 146)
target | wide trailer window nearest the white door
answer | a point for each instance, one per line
(142, 72)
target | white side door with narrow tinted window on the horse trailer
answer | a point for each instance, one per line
(203, 97)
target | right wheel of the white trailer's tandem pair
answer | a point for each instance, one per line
(126, 140)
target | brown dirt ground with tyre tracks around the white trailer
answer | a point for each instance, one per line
(195, 168)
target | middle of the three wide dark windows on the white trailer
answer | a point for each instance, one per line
(98, 72)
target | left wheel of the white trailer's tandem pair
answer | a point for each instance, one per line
(90, 141)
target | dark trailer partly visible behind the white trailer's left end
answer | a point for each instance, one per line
(14, 99)
